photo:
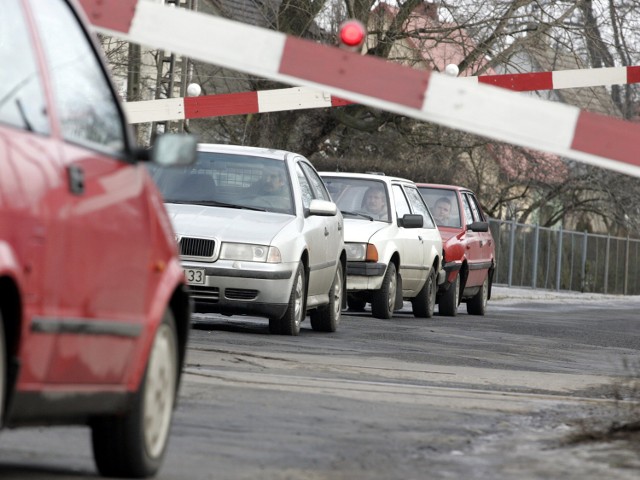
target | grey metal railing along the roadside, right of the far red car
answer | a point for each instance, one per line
(556, 259)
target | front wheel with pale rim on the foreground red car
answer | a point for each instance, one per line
(134, 444)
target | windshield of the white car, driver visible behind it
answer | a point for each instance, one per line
(359, 197)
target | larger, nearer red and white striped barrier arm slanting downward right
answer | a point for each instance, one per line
(480, 109)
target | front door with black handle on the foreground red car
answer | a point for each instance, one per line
(106, 231)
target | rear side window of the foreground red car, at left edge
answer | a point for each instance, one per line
(22, 101)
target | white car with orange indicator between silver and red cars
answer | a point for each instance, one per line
(393, 245)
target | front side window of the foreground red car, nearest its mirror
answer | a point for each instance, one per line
(85, 103)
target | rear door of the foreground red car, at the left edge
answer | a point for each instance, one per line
(32, 220)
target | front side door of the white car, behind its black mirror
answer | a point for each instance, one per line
(411, 245)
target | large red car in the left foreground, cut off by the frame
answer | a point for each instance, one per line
(94, 308)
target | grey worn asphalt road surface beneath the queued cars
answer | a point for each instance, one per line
(498, 397)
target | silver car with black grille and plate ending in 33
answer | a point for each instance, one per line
(258, 235)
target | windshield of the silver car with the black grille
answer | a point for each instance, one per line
(228, 180)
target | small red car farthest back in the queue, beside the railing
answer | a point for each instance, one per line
(468, 248)
